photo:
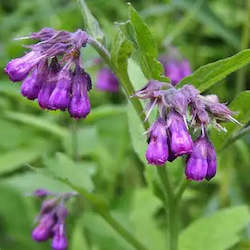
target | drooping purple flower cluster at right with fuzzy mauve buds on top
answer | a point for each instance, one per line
(180, 110)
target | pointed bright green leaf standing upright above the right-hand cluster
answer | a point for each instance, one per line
(148, 53)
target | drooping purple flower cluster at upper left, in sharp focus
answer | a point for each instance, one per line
(52, 72)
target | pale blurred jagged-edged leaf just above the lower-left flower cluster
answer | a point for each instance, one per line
(79, 174)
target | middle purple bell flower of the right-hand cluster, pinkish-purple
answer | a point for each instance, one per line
(180, 140)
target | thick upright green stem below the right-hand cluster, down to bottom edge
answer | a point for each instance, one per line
(171, 208)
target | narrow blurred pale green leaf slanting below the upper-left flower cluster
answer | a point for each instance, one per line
(36, 122)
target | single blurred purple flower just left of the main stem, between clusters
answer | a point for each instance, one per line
(107, 81)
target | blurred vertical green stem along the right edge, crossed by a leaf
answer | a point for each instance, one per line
(241, 76)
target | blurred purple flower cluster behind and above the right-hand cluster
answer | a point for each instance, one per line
(175, 67)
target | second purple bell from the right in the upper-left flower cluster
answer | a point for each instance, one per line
(60, 96)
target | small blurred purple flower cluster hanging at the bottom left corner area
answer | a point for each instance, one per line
(51, 220)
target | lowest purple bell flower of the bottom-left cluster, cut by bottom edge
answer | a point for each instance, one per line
(59, 241)
